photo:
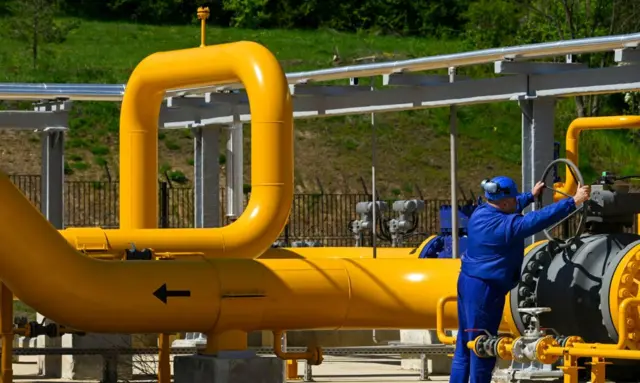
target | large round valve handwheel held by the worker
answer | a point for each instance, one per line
(580, 211)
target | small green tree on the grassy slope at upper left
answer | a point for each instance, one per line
(33, 21)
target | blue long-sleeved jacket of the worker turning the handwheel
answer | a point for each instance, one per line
(495, 243)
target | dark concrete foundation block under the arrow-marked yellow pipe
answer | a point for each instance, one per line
(229, 368)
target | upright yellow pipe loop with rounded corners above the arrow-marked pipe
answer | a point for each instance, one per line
(271, 153)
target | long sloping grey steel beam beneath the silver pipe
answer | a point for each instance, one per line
(339, 100)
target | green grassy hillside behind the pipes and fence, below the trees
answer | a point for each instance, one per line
(331, 153)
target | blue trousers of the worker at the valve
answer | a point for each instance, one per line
(480, 306)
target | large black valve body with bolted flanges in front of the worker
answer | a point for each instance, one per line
(595, 269)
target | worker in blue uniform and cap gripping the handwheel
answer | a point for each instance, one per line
(491, 266)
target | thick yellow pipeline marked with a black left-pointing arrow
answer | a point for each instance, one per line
(225, 294)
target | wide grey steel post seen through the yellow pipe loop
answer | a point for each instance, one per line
(206, 167)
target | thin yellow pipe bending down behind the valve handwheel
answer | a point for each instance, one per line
(573, 132)
